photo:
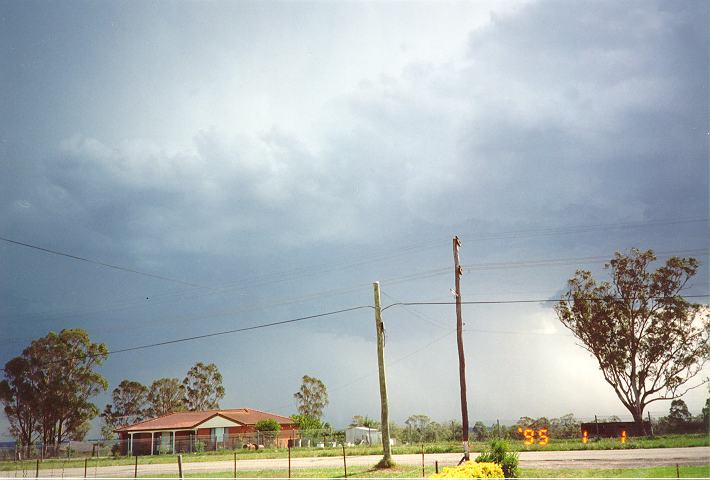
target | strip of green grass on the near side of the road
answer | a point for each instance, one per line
(416, 472)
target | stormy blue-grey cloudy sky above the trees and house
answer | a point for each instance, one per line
(255, 162)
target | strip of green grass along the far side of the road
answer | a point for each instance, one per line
(668, 441)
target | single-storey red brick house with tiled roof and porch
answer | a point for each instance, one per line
(202, 431)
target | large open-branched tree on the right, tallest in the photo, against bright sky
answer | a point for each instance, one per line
(648, 340)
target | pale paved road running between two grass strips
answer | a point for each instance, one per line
(630, 458)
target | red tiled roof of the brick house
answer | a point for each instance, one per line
(189, 420)
